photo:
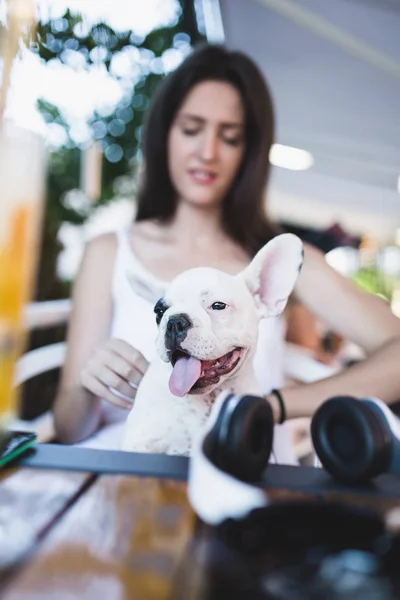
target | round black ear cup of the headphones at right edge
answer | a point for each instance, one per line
(350, 440)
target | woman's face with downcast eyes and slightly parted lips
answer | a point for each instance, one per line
(206, 143)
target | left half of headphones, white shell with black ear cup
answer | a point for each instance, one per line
(230, 457)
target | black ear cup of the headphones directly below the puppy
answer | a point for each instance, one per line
(241, 440)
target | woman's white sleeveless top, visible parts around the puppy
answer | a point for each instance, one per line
(134, 293)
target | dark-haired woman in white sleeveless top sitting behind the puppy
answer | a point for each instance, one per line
(201, 202)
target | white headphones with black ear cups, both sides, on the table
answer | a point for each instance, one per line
(355, 440)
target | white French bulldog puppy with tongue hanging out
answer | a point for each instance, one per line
(207, 337)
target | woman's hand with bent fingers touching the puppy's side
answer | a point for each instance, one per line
(114, 372)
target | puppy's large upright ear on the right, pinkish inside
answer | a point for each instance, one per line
(272, 273)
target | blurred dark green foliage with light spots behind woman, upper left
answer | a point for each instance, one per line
(70, 40)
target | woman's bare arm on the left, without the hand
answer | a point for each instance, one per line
(76, 410)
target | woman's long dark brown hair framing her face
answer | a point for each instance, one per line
(244, 217)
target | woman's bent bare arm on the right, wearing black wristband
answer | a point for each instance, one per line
(359, 317)
